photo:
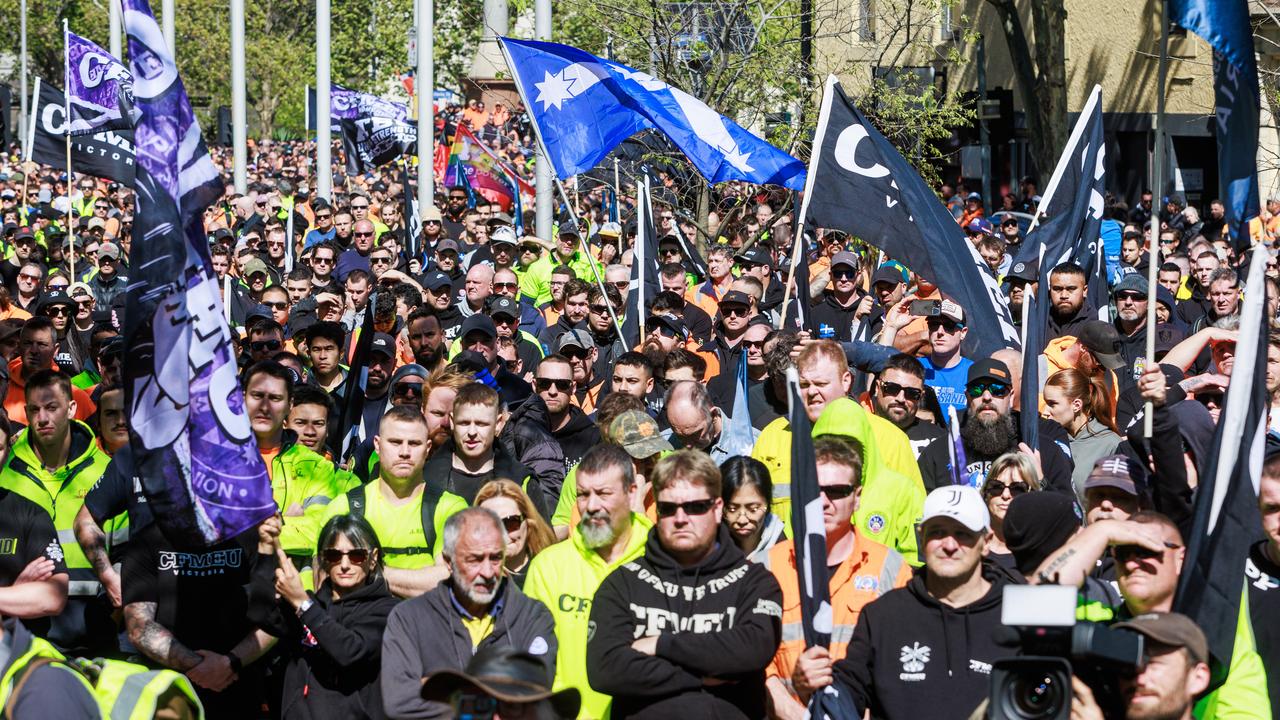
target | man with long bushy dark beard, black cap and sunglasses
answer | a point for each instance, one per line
(990, 430)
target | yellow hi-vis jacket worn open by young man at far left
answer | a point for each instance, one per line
(26, 476)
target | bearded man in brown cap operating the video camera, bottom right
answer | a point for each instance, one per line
(1176, 675)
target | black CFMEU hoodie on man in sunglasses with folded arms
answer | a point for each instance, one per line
(721, 618)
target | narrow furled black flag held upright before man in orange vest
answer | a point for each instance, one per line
(811, 545)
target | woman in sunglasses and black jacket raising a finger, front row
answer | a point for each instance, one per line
(332, 639)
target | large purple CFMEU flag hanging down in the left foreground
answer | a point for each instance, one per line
(196, 454)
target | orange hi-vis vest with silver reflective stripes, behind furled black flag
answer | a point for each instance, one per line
(870, 572)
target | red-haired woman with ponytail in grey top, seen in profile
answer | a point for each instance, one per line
(1084, 407)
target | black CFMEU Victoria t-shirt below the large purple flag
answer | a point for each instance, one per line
(202, 594)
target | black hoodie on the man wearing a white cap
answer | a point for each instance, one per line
(915, 658)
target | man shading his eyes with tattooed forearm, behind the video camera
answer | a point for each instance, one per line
(1149, 555)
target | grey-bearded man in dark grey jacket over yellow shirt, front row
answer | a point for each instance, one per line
(477, 608)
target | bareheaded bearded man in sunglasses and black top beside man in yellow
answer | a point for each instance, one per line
(897, 397)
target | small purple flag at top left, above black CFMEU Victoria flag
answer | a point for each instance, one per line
(99, 89)
